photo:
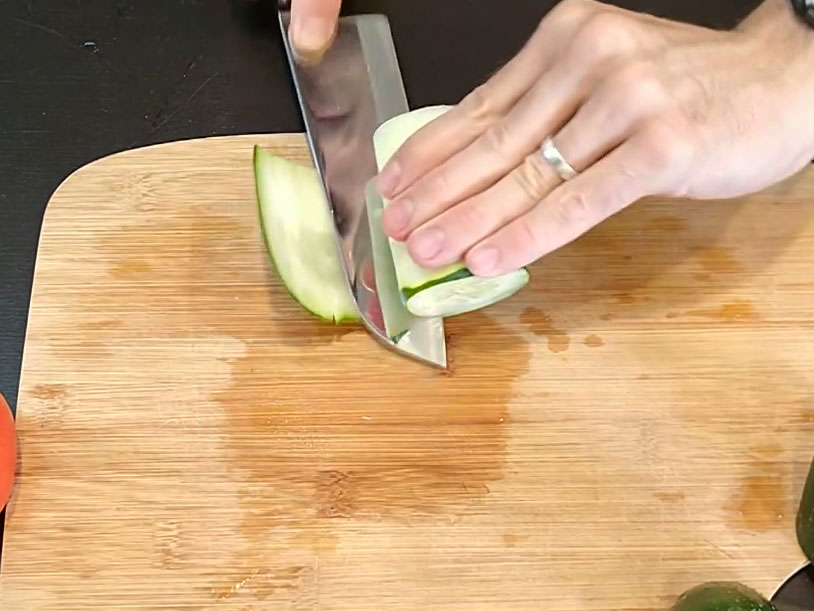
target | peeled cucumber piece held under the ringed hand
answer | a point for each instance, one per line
(452, 289)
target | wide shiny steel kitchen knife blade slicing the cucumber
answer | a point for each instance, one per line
(355, 87)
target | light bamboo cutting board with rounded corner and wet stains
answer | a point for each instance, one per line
(638, 420)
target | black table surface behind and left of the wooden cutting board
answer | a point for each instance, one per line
(81, 79)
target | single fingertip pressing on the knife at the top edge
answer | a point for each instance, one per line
(313, 26)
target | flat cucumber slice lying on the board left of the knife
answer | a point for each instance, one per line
(299, 233)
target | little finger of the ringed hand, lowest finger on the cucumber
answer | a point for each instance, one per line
(616, 181)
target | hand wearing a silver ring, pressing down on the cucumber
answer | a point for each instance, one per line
(639, 105)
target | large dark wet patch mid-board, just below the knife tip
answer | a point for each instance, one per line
(340, 441)
